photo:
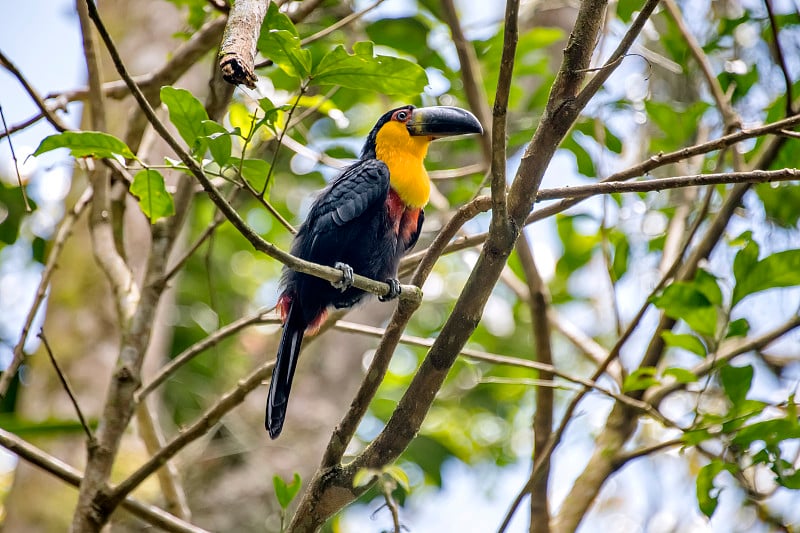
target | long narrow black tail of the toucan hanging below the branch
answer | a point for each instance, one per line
(293, 329)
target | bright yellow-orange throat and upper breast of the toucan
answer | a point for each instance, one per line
(404, 155)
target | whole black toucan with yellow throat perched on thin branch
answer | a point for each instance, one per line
(363, 222)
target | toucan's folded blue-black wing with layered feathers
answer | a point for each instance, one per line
(357, 189)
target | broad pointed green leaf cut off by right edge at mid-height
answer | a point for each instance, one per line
(780, 269)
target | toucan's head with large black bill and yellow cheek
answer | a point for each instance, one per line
(416, 127)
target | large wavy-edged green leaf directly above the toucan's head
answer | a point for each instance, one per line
(365, 71)
